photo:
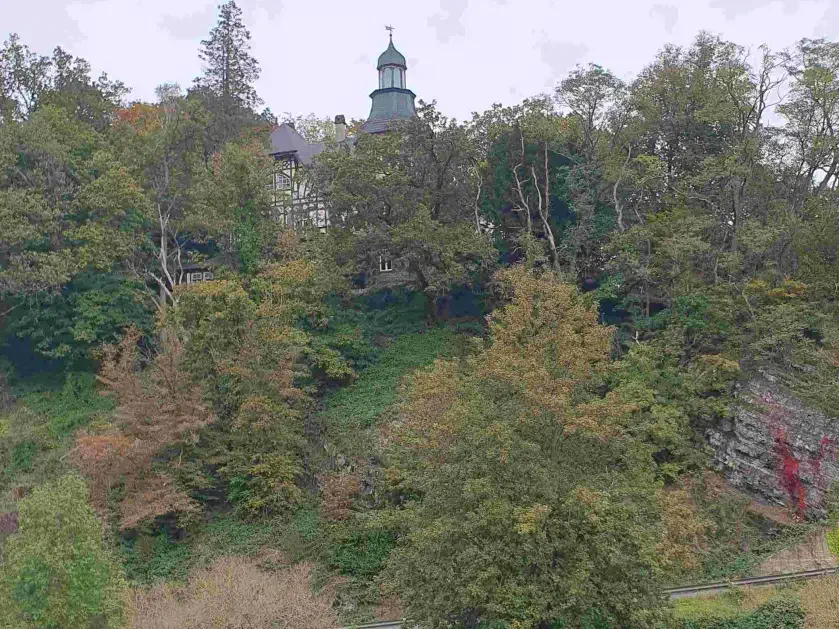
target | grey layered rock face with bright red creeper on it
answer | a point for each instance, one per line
(777, 449)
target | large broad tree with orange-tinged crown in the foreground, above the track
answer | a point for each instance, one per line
(503, 464)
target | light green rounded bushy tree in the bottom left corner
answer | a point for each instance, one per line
(55, 570)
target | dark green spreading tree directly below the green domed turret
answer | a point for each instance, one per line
(427, 223)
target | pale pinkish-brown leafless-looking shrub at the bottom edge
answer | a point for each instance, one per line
(234, 592)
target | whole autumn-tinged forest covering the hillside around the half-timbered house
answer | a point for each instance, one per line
(513, 439)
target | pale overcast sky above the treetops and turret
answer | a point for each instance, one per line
(319, 55)
